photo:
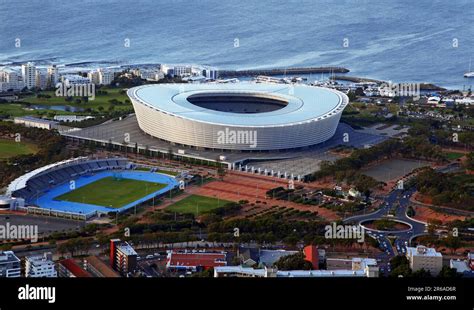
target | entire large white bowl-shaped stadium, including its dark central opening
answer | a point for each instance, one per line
(240, 116)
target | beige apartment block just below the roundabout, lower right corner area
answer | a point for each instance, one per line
(422, 257)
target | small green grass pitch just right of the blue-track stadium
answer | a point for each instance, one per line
(196, 204)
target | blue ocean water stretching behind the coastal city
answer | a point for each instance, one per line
(399, 40)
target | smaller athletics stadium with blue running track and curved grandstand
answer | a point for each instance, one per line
(81, 188)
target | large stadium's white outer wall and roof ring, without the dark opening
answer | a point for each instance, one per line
(181, 122)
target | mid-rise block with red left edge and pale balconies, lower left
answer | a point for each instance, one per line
(123, 257)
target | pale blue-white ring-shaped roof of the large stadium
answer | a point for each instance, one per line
(304, 103)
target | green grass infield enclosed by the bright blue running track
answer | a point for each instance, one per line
(109, 192)
